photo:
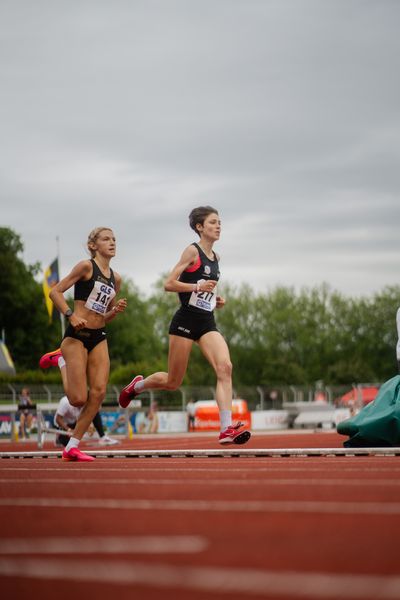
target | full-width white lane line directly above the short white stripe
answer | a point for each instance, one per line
(261, 506)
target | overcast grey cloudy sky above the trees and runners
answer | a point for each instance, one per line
(283, 114)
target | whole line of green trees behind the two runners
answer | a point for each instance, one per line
(278, 337)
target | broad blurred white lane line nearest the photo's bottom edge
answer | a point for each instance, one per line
(222, 580)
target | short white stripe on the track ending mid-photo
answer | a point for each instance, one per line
(149, 544)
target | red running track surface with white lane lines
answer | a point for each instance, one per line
(277, 528)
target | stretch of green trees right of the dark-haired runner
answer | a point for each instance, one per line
(284, 337)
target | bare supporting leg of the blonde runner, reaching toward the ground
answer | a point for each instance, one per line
(98, 369)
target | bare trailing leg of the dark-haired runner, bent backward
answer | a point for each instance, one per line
(178, 358)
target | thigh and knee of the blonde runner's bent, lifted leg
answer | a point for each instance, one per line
(74, 372)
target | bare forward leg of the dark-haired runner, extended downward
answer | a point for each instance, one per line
(216, 351)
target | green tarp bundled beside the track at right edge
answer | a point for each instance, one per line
(378, 423)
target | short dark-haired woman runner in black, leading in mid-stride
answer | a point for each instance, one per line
(195, 279)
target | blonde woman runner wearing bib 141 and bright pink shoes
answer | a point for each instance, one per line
(84, 346)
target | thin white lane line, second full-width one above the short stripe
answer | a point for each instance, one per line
(211, 482)
